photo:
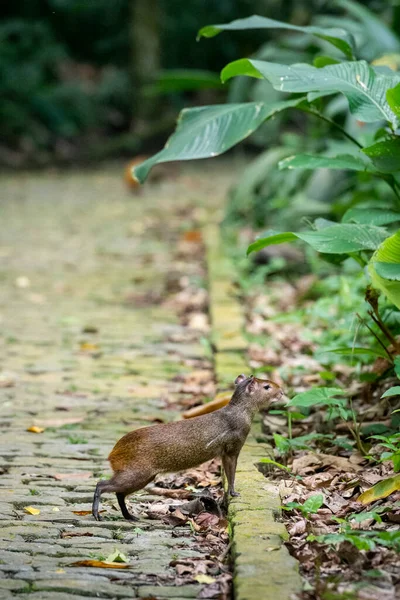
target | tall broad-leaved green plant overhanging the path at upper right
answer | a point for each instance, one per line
(373, 96)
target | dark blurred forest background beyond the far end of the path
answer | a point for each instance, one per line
(83, 80)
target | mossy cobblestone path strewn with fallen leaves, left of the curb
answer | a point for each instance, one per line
(90, 348)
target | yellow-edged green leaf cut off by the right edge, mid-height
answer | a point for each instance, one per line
(384, 276)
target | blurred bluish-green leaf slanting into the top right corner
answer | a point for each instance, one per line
(374, 27)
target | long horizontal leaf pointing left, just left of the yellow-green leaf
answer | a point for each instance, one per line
(338, 239)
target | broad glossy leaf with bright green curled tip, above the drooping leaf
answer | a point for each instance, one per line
(364, 87)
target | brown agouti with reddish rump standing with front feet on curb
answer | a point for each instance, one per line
(140, 455)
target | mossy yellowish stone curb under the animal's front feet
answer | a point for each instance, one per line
(263, 567)
